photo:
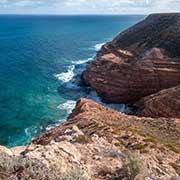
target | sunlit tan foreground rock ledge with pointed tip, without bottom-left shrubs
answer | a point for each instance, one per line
(99, 143)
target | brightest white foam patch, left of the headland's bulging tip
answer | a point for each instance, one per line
(66, 76)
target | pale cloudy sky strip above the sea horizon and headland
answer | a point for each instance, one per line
(88, 6)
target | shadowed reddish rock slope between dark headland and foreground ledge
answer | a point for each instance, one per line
(165, 103)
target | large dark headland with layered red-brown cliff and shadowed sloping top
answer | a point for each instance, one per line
(139, 61)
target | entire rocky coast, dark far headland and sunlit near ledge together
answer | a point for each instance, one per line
(140, 67)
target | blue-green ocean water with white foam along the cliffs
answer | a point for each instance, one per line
(41, 59)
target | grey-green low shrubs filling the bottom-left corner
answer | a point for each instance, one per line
(24, 168)
